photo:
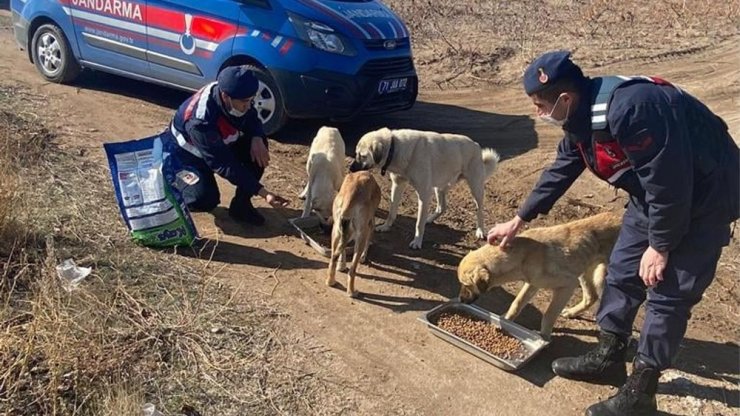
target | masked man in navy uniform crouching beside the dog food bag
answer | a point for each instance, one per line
(217, 130)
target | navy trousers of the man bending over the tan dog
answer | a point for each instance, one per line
(690, 270)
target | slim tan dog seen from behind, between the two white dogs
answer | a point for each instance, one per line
(354, 218)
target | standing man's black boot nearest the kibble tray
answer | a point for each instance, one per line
(603, 363)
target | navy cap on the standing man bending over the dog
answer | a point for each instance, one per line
(549, 68)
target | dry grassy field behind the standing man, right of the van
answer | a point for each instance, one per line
(469, 43)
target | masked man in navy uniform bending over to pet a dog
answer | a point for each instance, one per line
(679, 165)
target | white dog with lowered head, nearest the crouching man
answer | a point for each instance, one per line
(325, 168)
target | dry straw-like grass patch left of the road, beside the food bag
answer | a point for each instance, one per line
(145, 326)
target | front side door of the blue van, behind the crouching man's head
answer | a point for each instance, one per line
(189, 40)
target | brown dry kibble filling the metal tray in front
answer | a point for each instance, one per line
(482, 334)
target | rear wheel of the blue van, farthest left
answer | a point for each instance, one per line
(53, 56)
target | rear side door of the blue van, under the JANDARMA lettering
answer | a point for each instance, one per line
(111, 34)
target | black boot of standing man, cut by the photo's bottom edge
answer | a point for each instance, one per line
(635, 398)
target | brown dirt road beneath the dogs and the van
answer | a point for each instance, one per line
(379, 354)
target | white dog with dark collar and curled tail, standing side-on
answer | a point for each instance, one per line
(432, 163)
